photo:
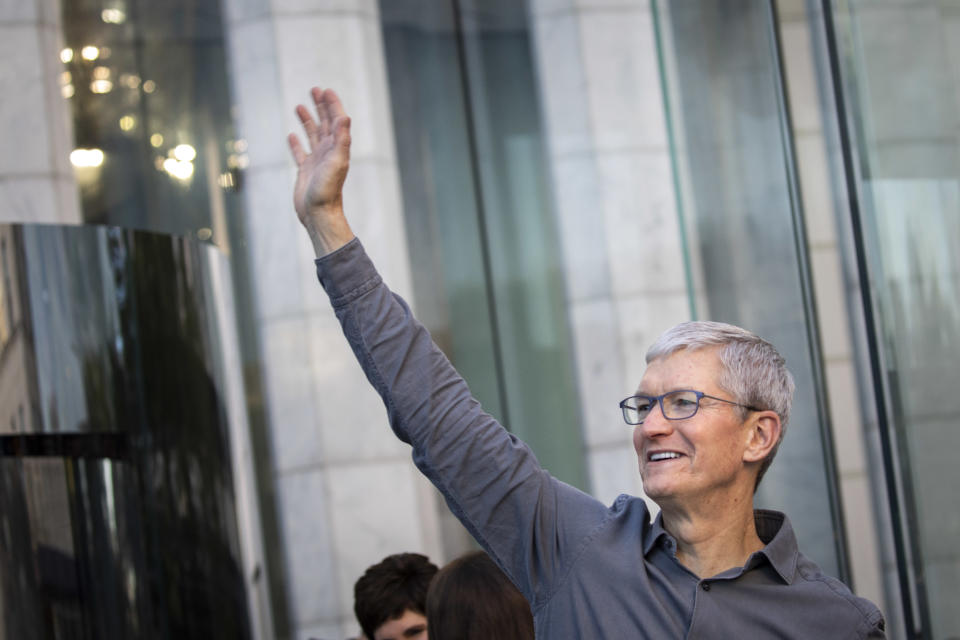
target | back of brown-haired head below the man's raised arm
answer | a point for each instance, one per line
(471, 599)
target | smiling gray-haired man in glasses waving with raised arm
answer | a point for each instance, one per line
(708, 416)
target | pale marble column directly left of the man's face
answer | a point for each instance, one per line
(613, 186)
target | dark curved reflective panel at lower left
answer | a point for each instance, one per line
(118, 516)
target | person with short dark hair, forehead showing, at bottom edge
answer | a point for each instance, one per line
(390, 598)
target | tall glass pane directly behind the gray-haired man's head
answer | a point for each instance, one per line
(727, 121)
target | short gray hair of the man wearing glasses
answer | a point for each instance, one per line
(753, 371)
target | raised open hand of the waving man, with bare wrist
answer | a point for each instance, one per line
(318, 193)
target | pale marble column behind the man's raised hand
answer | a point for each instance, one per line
(337, 472)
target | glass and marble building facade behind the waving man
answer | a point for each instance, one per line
(188, 448)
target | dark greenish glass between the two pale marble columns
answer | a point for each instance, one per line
(480, 223)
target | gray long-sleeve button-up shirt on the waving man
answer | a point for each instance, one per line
(588, 570)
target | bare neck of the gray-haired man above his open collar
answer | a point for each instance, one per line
(712, 536)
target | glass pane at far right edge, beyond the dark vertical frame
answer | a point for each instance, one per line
(904, 111)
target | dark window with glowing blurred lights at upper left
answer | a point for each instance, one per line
(147, 86)
